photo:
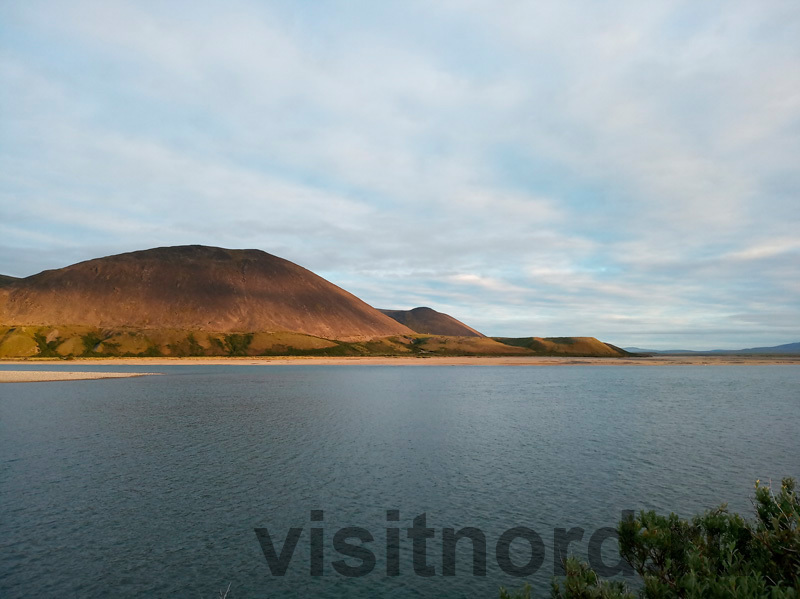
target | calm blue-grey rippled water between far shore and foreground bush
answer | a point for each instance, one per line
(152, 486)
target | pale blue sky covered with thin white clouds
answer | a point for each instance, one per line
(625, 170)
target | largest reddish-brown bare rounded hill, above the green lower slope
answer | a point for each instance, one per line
(193, 288)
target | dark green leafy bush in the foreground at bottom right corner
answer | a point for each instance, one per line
(717, 554)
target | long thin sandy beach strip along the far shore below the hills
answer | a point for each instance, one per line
(415, 361)
